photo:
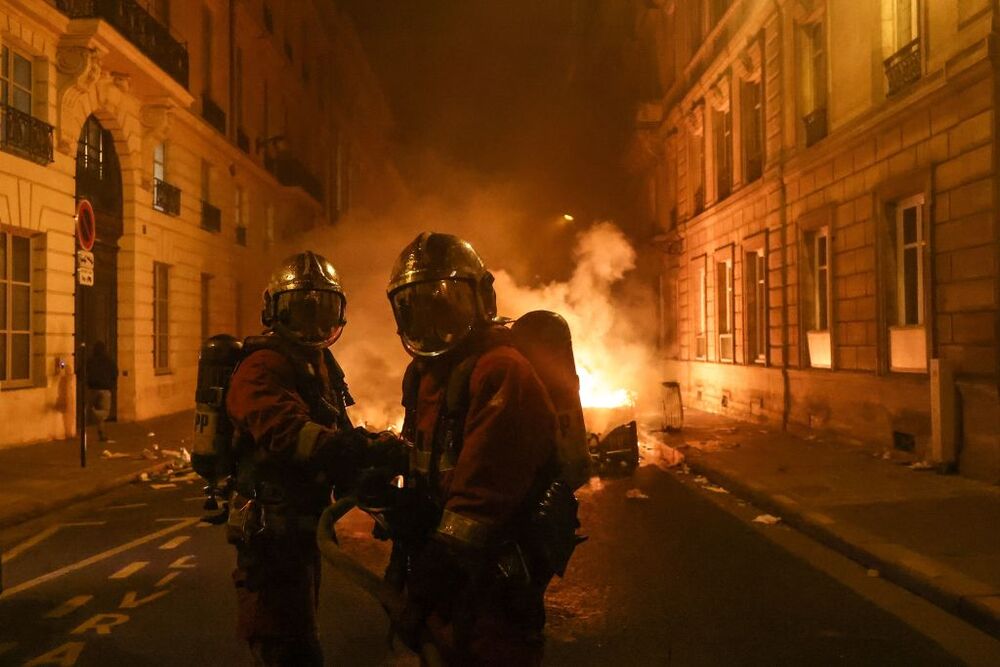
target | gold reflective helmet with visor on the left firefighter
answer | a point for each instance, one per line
(304, 302)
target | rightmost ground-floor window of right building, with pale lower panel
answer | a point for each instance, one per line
(907, 336)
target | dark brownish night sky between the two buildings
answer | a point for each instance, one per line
(527, 93)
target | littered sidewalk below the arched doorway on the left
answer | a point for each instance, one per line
(35, 479)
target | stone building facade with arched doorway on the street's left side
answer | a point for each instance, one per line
(203, 133)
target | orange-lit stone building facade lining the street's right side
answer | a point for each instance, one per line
(822, 176)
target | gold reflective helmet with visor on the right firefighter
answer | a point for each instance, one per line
(440, 291)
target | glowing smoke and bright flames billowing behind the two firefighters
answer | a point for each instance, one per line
(364, 247)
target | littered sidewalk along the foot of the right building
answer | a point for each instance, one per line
(936, 535)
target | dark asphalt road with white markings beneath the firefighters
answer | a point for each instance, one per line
(676, 574)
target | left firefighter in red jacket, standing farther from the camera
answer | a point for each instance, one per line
(288, 399)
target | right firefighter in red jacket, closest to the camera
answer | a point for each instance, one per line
(472, 591)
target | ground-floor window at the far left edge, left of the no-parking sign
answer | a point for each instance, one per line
(15, 309)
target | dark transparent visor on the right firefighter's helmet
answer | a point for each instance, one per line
(434, 316)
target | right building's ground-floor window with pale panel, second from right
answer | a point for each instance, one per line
(818, 295)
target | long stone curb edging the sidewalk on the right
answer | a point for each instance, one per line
(970, 610)
